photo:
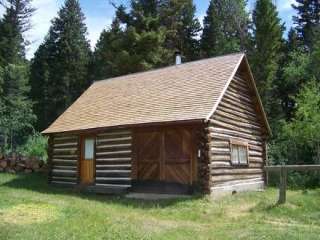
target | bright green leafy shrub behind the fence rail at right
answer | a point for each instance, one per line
(298, 141)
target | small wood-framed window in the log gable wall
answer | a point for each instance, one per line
(239, 153)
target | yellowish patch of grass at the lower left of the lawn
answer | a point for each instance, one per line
(24, 214)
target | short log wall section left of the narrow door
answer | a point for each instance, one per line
(64, 155)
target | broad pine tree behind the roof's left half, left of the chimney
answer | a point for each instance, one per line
(138, 46)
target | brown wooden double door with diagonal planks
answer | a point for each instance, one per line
(165, 155)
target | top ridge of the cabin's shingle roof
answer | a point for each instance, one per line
(166, 67)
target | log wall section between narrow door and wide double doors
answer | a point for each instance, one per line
(113, 158)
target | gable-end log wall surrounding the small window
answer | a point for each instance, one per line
(237, 117)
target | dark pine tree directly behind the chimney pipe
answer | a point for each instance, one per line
(183, 28)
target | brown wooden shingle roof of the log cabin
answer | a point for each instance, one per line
(184, 92)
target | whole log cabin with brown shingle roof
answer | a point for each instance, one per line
(198, 126)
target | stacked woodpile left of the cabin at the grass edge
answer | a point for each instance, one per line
(16, 164)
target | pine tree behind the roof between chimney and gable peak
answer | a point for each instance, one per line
(225, 28)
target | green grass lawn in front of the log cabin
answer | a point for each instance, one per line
(30, 209)
